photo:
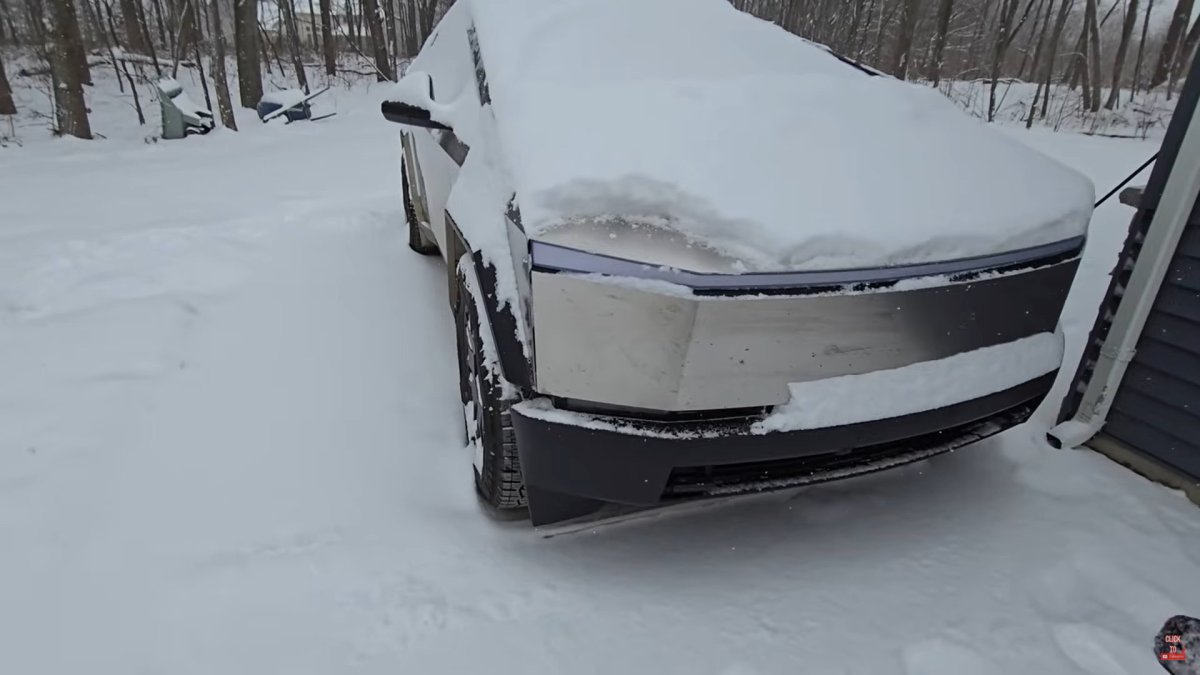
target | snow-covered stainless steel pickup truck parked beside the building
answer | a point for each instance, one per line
(691, 254)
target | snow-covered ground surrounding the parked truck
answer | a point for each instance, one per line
(231, 443)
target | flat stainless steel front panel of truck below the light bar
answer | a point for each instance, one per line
(629, 345)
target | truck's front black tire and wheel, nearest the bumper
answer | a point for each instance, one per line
(499, 479)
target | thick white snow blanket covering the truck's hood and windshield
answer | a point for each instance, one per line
(746, 138)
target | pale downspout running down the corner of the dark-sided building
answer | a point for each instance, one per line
(1150, 270)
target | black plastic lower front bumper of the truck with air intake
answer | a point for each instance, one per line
(572, 471)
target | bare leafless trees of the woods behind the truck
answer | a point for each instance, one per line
(1085, 45)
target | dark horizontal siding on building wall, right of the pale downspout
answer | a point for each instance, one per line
(1157, 408)
